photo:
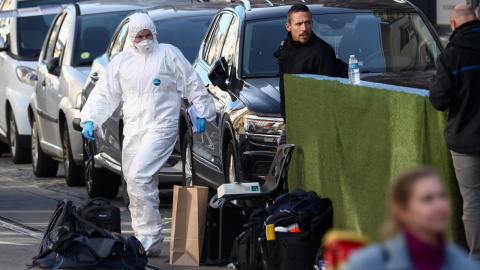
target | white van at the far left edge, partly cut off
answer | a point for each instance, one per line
(21, 39)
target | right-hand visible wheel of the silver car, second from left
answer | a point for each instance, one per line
(73, 172)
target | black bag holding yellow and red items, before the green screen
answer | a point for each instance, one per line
(296, 250)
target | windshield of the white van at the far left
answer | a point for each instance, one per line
(32, 30)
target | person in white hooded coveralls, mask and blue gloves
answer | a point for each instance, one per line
(150, 79)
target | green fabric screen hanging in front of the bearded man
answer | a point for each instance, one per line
(351, 141)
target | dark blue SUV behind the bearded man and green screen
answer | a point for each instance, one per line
(392, 39)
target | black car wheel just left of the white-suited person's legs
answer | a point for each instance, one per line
(99, 182)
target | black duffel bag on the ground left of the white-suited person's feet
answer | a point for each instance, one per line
(79, 244)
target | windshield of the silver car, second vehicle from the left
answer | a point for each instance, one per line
(93, 35)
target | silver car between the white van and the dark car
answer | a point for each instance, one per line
(79, 33)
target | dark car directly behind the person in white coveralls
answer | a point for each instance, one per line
(183, 26)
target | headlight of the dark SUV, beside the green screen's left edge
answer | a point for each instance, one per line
(262, 129)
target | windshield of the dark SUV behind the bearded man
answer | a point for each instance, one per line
(382, 42)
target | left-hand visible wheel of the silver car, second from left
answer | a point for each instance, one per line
(42, 164)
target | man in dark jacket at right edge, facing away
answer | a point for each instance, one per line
(456, 87)
